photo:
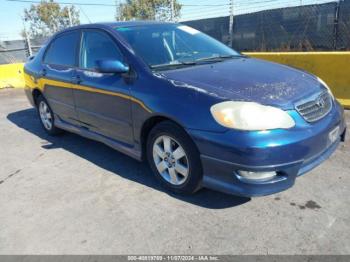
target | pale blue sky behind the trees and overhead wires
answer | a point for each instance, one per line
(11, 23)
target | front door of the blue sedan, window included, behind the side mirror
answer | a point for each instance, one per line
(102, 100)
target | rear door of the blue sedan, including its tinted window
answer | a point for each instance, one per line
(58, 66)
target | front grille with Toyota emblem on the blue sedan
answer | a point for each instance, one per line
(316, 107)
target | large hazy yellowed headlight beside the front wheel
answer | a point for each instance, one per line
(250, 116)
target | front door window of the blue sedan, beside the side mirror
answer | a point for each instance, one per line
(97, 46)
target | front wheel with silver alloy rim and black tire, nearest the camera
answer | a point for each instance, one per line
(174, 158)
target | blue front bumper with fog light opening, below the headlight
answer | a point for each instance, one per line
(290, 153)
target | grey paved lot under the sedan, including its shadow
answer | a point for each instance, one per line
(74, 196)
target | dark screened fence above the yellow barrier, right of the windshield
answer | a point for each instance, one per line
(321, 27)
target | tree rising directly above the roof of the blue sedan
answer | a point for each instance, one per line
(147, 10)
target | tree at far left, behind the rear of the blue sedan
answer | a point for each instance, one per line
(49, 17)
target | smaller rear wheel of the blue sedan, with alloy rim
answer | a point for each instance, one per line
(46, 117)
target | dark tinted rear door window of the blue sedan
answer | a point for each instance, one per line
(63, 50)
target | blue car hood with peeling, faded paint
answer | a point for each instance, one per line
(247, 79)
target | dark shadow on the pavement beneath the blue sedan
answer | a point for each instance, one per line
(117, 163)
